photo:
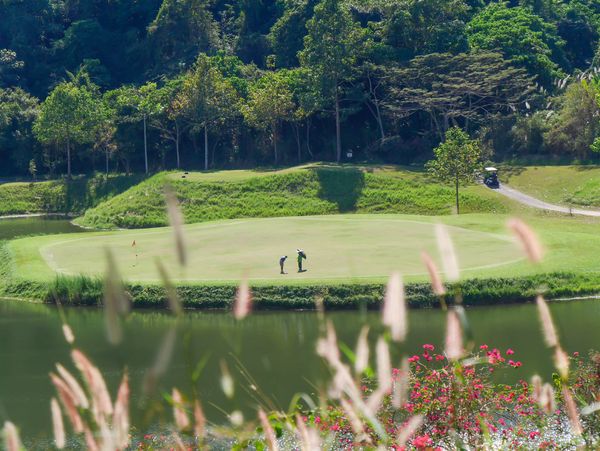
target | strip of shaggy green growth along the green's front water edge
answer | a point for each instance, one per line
(80, 291)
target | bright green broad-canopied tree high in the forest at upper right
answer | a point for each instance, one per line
(522, 37)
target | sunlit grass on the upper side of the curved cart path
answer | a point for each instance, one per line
(564, 185)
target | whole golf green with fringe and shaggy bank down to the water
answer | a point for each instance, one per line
(350, 258)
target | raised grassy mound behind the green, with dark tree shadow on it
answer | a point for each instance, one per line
(312, 190)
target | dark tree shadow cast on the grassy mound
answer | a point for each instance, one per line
(342, 186)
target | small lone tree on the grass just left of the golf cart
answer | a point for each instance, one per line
(457, 160)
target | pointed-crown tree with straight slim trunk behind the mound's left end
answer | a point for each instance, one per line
(207, 99)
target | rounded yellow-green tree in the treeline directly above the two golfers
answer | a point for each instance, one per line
(269, 103)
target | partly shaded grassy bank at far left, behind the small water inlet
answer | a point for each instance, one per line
(61, 196)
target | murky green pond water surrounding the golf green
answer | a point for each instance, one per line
(275, 348)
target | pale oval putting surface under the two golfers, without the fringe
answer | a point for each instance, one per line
(338, 247)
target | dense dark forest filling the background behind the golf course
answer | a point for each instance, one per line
(167, 83)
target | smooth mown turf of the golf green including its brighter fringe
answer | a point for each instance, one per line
(341, 249)
